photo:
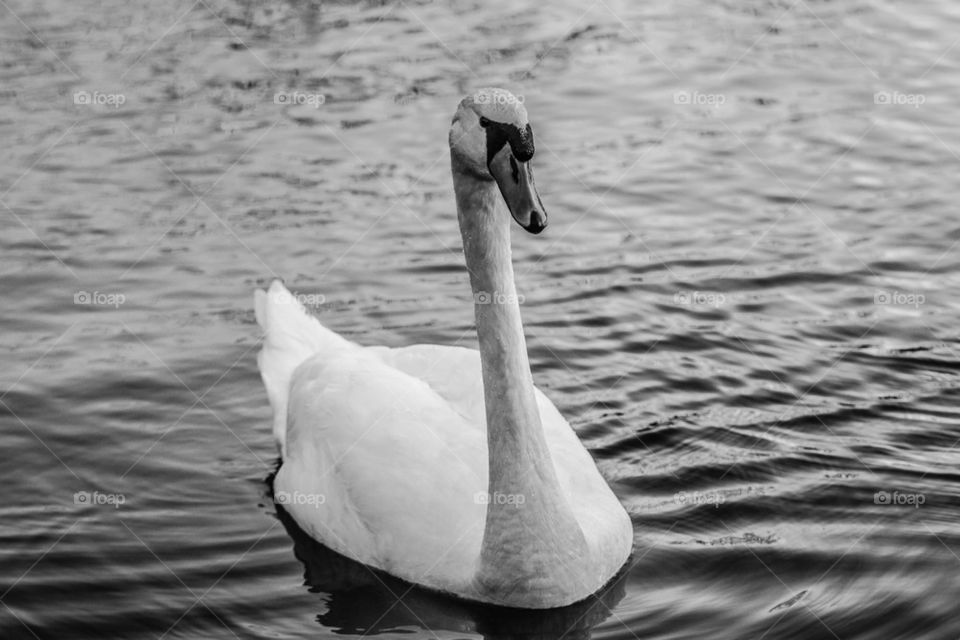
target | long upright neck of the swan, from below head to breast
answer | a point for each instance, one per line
(528, 517)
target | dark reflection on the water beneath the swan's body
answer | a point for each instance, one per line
(364, 601)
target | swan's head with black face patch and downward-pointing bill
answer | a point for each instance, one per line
(491, 139)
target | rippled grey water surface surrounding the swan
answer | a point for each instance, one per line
(745, 303)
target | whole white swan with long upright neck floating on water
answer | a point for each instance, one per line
(441, 465)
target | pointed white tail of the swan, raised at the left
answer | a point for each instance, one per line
(291, 336)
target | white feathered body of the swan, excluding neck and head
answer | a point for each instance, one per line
(386, 450)
